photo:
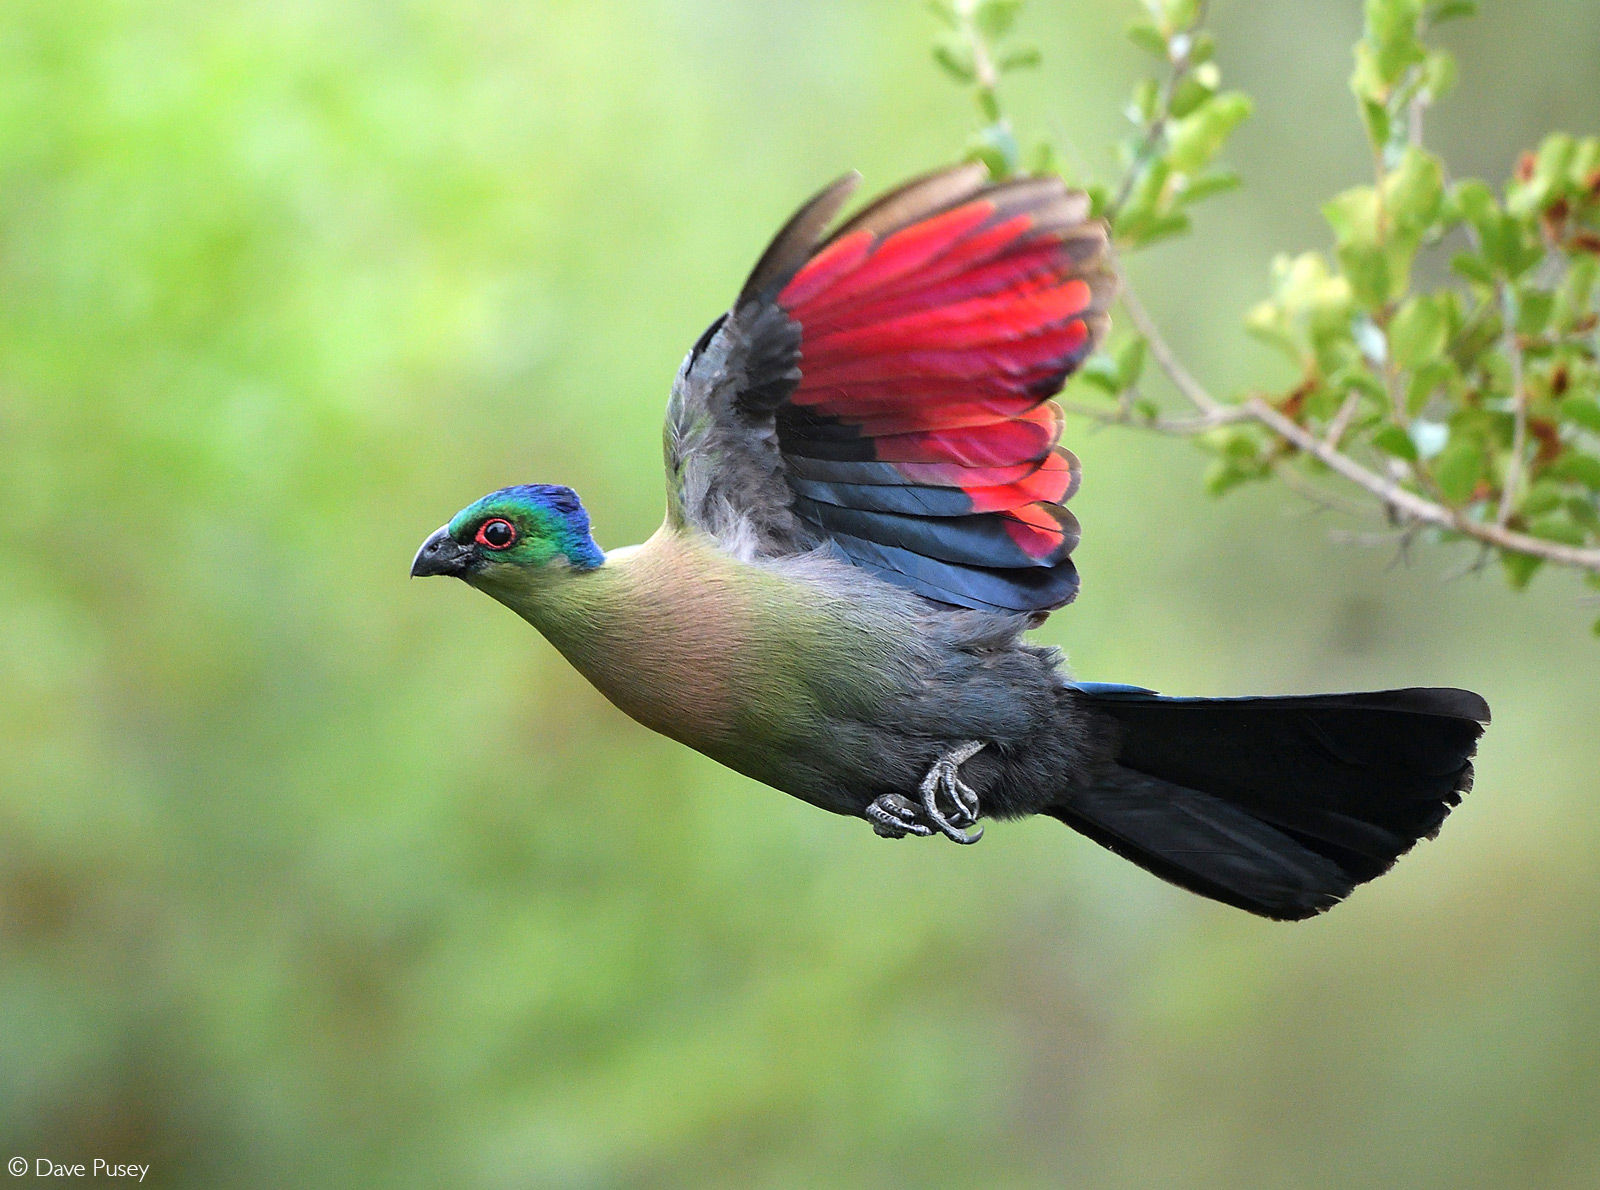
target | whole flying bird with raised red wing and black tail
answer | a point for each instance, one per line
(868, 508)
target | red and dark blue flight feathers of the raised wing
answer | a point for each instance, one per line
(934, 330)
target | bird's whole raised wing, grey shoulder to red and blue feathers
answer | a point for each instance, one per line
(889, 389)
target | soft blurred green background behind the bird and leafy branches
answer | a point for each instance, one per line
(313, 876)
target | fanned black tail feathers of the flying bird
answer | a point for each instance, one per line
(1281, 805)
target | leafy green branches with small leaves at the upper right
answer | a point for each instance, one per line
(1471, 401)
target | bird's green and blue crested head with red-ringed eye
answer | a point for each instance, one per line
(513, 535)
